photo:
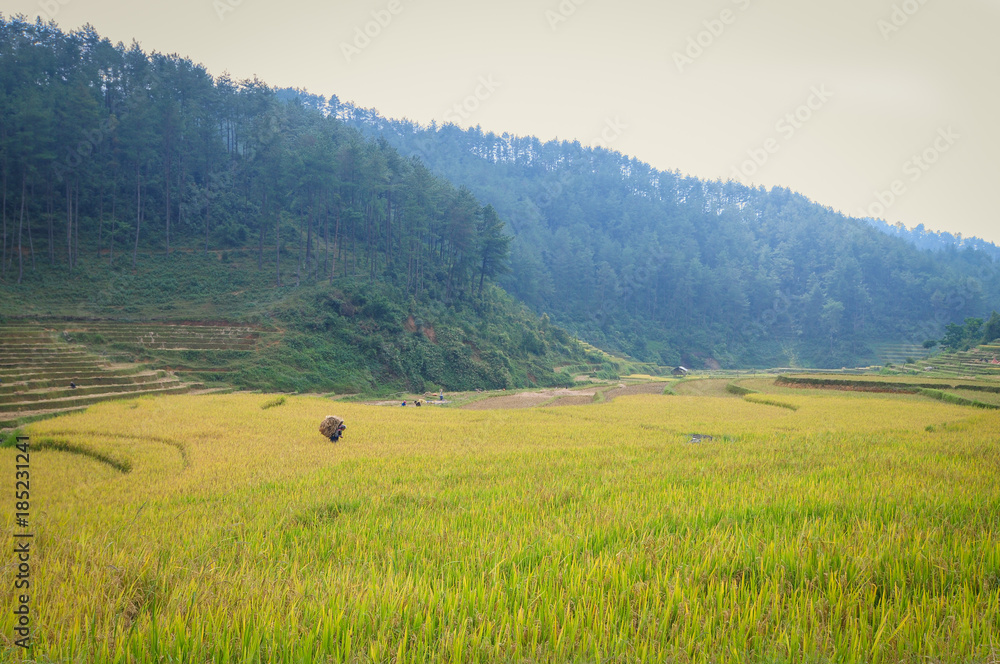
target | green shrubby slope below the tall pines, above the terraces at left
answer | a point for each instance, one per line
(348, 337)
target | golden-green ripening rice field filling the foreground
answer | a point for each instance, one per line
(208, 529)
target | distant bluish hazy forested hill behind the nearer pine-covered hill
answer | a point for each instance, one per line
(676, 269)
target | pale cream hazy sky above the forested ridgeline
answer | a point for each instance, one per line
(842, 101)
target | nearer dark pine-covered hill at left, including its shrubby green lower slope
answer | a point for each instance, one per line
(137, 186)
